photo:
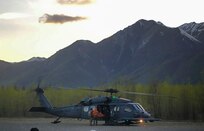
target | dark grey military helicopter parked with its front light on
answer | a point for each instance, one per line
(115, 110)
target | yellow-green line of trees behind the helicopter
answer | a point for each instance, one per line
(188, 103)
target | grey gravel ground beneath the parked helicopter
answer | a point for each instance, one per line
(43, 124)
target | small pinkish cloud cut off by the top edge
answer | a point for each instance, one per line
(74, 2)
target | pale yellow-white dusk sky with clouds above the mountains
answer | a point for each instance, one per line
(39, 28)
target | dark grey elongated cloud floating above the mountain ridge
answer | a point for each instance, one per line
(46, 18)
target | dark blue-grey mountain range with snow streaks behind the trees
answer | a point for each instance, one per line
(144, 52)
